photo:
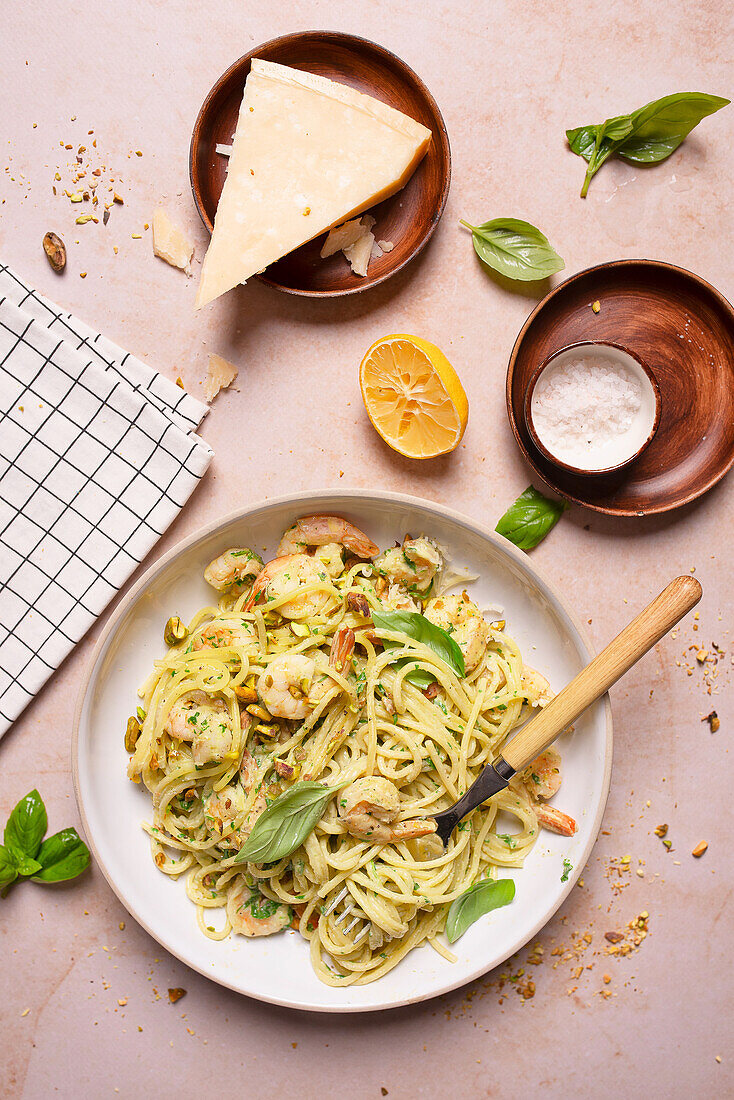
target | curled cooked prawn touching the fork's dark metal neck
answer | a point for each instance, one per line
(370, 808)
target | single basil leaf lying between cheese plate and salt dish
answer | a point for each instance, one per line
(516, 249)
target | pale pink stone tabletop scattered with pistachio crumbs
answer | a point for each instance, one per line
(510, 79)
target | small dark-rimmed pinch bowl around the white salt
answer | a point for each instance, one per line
(644, 376)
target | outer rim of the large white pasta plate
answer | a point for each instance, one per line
(350, 498)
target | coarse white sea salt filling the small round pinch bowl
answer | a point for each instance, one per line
(593, 411)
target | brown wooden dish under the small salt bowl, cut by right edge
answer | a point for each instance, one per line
(684, 329)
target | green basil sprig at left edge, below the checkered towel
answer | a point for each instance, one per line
(27, 855)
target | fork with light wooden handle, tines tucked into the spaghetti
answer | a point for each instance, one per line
(543, 729)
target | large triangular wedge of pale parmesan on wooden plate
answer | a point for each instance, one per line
(309, 155)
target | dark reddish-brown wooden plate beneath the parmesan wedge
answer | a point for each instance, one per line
(409, 218)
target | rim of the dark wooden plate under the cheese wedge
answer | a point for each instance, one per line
(442, 138)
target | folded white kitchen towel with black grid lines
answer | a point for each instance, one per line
(98, 455)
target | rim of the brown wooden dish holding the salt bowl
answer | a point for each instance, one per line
(601, 505)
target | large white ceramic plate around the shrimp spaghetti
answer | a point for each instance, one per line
(278, 969)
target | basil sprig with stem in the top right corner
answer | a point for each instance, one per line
(647, 136)
